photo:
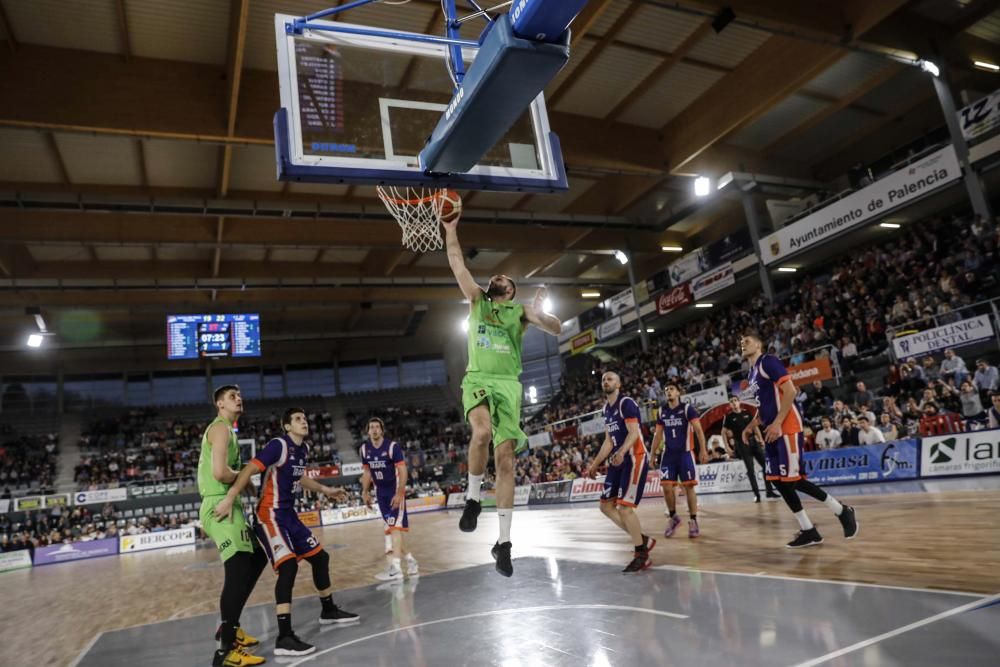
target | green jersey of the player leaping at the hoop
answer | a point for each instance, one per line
(495, 333)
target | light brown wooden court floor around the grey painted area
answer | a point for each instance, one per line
(947, 540)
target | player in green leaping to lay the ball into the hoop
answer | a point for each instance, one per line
(491, 390)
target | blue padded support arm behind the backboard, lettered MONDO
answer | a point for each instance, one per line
(507, 74)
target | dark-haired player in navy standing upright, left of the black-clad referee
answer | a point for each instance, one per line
(676, 429)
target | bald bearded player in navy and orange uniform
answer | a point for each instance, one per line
(627, 468)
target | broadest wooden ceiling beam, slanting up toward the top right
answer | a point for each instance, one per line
(779, 67)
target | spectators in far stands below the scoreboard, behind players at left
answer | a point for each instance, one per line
(140, 446)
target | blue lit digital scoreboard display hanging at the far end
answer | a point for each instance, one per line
(195, 336)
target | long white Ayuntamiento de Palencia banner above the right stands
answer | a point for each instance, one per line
(872, 202)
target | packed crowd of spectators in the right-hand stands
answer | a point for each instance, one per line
(937, 269)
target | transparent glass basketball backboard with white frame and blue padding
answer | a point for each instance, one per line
(358, 107)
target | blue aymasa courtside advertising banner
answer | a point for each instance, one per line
(870, 463)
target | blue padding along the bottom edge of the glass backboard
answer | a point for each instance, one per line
(289, 171)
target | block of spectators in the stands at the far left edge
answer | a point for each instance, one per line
(27, 462)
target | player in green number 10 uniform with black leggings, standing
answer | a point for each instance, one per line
(242, 557)
